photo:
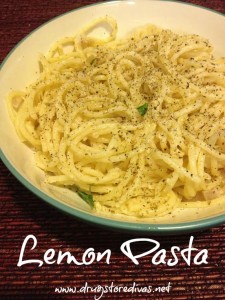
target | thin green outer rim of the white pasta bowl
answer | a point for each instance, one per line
(157, 229)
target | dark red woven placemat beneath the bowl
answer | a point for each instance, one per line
(22, 214)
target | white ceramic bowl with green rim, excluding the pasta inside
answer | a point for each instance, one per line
(19, 69)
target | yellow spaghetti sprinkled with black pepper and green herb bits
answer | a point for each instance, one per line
(135, 126)
